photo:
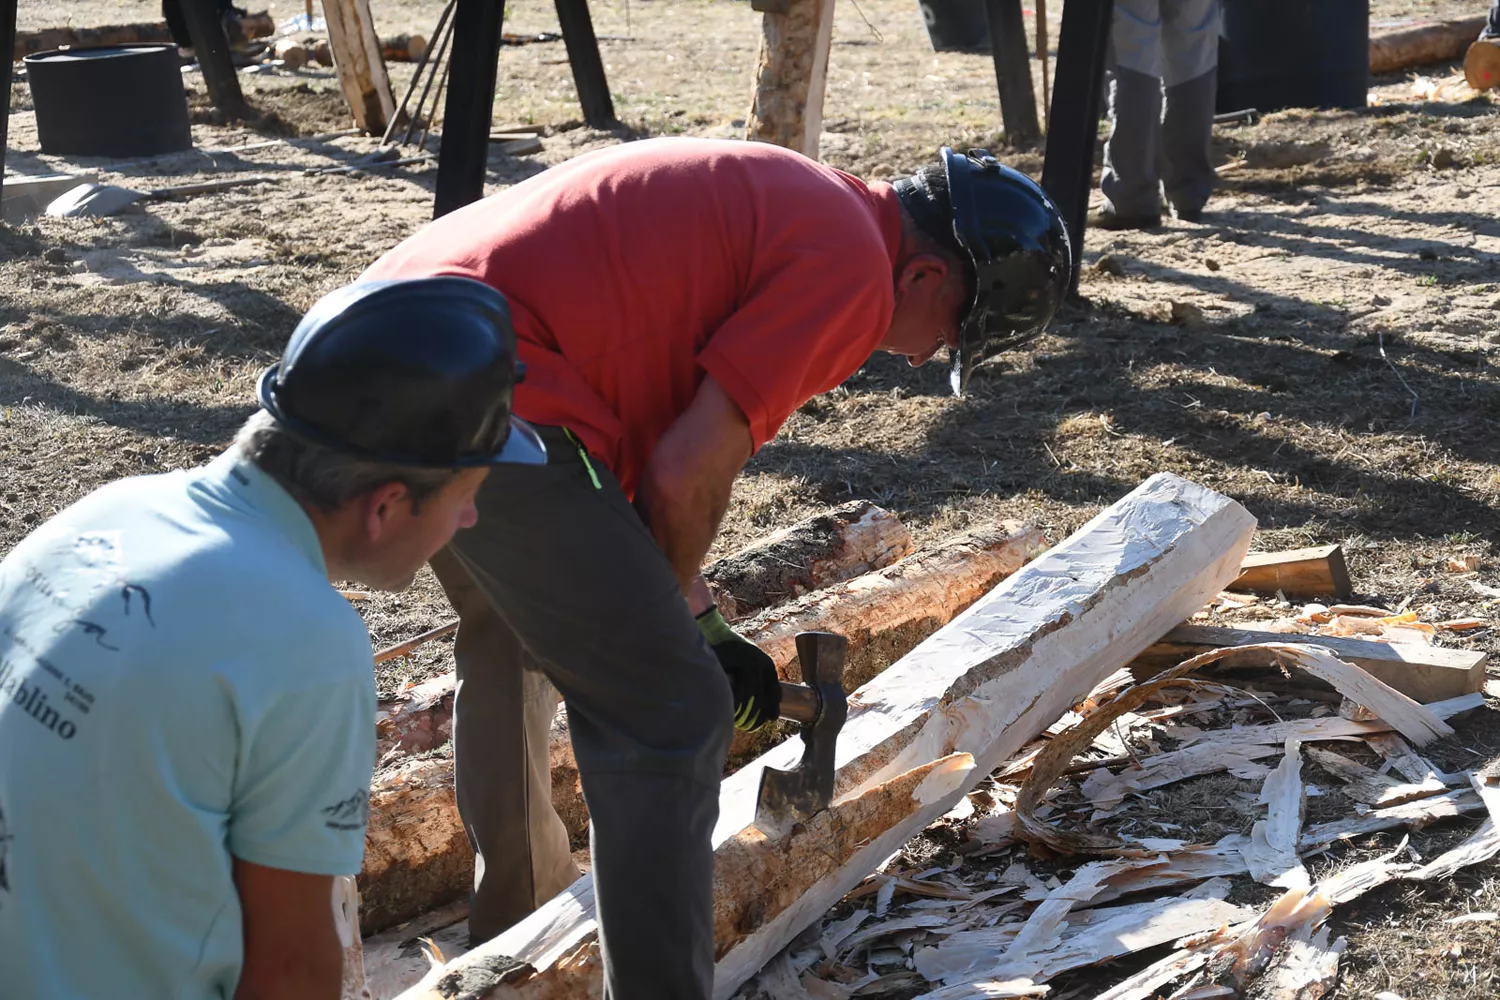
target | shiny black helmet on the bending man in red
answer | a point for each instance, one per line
(1015, 241)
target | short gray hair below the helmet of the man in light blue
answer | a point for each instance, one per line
(323, 478)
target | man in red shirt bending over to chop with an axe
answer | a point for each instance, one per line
(674, 302)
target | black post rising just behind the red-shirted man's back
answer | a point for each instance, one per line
(472, 100)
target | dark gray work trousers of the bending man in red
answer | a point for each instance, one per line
(563, 579)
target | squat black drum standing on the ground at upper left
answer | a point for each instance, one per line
(113, 101)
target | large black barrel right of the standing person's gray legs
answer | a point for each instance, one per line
(1294, 55)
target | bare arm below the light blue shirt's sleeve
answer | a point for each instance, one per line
(292, 945)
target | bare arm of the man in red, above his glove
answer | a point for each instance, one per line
(685, 490)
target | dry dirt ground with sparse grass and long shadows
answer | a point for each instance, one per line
(1322, 347)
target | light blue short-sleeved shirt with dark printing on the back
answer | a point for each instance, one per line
(178, 684)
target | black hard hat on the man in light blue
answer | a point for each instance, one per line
(413, 373)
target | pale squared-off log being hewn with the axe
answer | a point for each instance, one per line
(982, 686)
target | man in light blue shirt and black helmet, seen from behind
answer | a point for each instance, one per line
(187, 705)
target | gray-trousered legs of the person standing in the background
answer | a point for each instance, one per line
(1162, 107)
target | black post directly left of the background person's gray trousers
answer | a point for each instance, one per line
(1075, 122)
